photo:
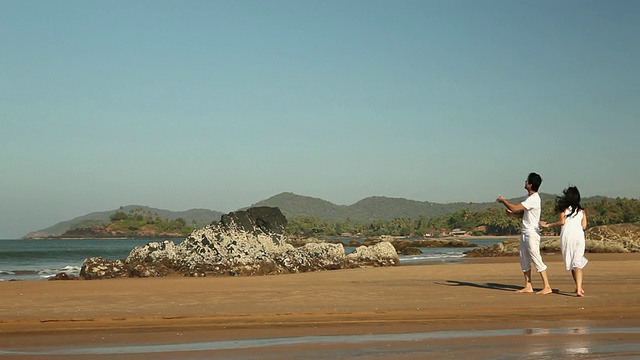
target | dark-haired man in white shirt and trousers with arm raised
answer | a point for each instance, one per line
(529, 210)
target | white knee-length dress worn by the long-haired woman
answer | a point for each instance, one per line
(572, 241)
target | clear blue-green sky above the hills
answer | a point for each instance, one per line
(219, 104)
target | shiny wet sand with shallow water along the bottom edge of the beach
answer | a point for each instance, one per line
(531, 343)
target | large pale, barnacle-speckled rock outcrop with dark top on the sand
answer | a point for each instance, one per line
(251, 242)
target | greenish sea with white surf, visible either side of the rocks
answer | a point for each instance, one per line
(42, 259)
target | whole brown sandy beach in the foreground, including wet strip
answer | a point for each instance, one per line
(463, 310)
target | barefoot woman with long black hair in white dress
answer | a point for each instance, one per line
(573, 222)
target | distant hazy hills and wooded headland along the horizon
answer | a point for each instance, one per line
(308, 216)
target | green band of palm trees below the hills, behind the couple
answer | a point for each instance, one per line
(491, 222)
